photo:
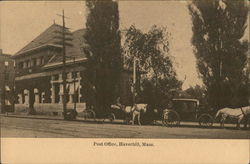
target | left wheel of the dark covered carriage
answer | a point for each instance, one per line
(171, 118)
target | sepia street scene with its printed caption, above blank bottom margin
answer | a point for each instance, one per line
(124, 69)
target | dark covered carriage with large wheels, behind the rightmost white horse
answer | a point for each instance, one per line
(187, 110)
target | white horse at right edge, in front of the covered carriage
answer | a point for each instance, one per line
(238, 113)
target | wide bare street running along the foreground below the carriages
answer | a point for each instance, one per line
(42, 128)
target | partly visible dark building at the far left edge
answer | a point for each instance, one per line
(6, 82)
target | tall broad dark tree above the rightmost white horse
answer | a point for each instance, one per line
(218, 28)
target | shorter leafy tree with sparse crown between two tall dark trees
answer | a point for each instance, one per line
(152, 51)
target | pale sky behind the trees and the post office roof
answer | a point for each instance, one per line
(21, 22)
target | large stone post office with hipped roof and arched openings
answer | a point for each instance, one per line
(39, 73)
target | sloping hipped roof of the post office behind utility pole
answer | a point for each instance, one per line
(51, 37)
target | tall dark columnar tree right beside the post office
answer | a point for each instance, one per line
(103, 51)
